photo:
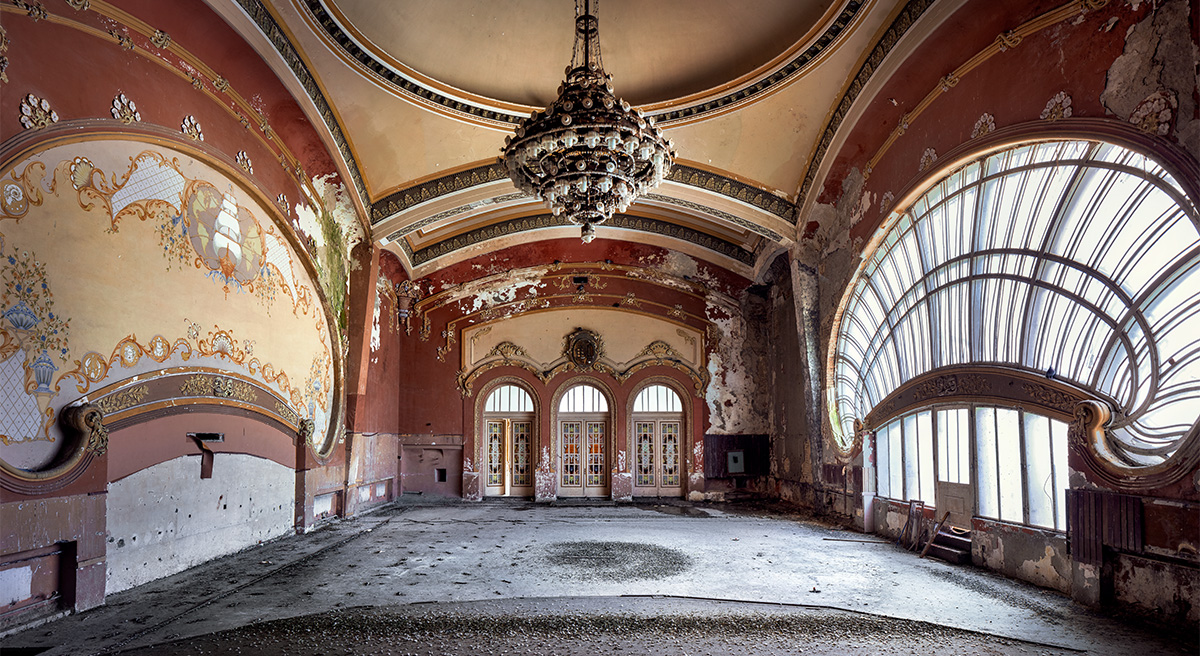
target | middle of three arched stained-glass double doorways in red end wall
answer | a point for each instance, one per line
(584, 443)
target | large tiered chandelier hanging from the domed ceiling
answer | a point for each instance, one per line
(590, 154)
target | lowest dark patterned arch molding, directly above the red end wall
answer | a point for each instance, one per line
(538, 222)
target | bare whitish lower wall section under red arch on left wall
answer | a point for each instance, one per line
(166, 519)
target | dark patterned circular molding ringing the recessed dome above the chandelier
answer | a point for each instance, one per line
(495, 117)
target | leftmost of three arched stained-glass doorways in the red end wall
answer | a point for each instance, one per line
(508, 443)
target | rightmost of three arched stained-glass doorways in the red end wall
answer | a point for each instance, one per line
(657, 443)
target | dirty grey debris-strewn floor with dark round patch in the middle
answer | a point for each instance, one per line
(517, 577)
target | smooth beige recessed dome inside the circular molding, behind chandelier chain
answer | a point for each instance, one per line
(515, 52)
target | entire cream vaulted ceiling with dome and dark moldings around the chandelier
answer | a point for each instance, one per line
(427, 91)
